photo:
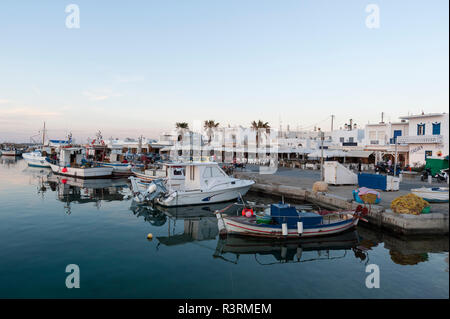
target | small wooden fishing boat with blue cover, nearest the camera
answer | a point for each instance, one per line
(287, 222)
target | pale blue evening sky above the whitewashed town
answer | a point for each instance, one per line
(137, 67)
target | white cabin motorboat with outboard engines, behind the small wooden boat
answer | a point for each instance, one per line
(204, 183)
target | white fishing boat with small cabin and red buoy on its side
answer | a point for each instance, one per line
(72, 163)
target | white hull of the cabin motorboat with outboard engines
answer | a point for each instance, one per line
(182, 198)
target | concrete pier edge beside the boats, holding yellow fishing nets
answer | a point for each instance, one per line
(298, 187)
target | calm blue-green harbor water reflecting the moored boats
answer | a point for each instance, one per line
(47, 223)
